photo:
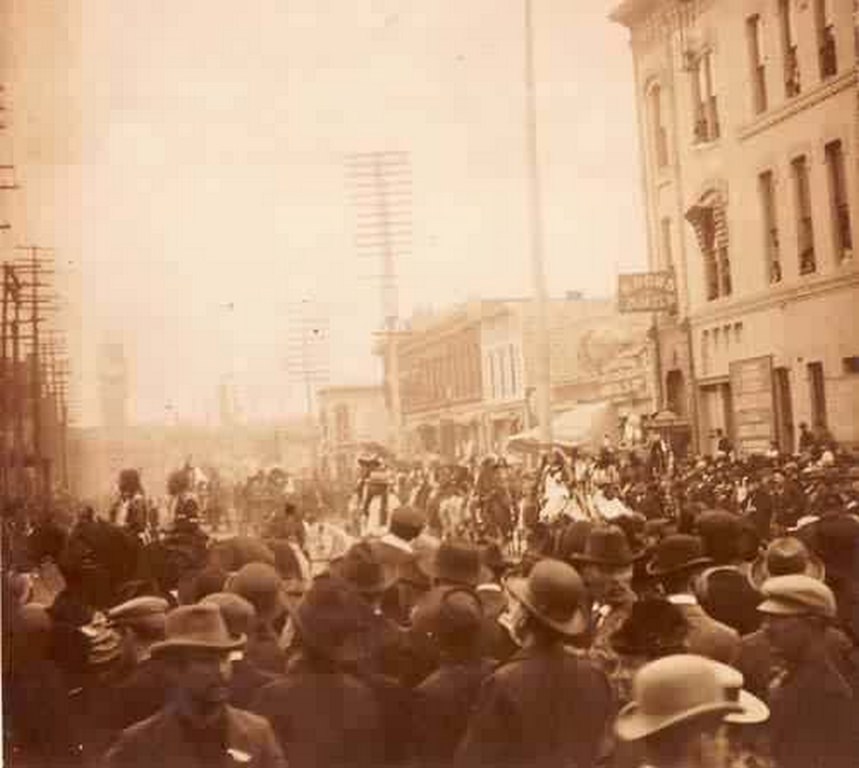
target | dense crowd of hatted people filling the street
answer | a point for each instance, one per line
(619, 609)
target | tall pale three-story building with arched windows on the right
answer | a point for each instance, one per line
(750, 144)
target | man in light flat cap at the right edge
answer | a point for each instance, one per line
(815, 713)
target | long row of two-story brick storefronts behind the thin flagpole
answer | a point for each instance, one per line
(468, 377)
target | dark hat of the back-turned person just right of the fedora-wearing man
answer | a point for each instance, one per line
(333, 620)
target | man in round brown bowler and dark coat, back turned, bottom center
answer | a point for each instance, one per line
(544, 707)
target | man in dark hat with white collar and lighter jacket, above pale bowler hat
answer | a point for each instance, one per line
(676, 560)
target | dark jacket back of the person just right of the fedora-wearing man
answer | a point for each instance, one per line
(323, 719)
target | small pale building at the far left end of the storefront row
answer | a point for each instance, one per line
(352, 419)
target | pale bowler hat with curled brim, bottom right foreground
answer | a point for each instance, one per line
(670, 691)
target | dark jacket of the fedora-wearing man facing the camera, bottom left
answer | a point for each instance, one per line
(162, 740)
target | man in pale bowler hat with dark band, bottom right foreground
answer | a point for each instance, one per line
(679, 706)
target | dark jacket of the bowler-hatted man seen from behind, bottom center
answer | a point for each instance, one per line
(542, 708)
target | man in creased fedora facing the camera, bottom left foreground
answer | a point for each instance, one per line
(197, 727)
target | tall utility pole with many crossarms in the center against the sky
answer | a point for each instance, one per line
(381, 192)
